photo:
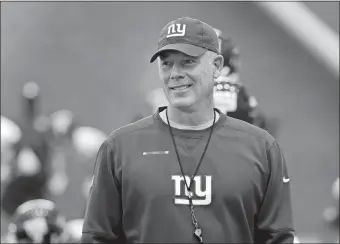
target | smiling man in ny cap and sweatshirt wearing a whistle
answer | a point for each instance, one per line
(189, 173)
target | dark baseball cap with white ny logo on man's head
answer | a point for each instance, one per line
(190, 36)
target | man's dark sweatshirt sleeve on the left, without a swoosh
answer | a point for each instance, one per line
(102, 221)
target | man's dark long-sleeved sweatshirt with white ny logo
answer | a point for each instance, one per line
(239, 190)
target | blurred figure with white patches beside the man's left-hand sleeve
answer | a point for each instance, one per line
(75, 149)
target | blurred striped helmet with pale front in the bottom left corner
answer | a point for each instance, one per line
(35, 221)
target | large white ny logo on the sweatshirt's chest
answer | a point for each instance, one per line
(201, 188)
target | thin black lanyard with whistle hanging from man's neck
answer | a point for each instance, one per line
(198, 231)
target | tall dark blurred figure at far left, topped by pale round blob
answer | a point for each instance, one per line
(29, 165)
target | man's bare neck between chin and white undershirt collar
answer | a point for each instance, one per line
(191, 117)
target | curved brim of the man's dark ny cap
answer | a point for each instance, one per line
(188, 49)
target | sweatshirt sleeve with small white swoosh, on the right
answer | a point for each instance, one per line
(274, 222)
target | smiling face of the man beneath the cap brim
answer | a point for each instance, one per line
(187, 81)
